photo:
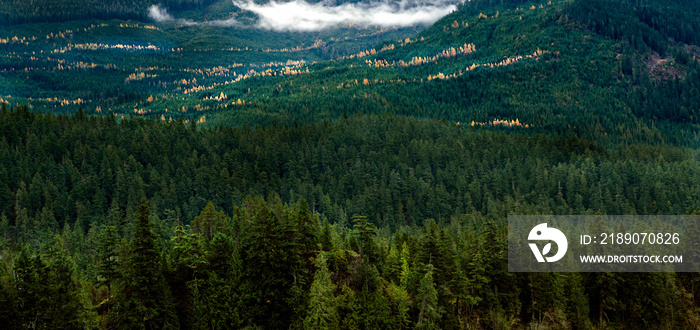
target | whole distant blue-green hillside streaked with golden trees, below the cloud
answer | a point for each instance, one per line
(617, 72)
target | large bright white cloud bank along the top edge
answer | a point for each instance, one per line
(299, 15)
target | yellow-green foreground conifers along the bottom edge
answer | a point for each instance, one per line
(275, 265)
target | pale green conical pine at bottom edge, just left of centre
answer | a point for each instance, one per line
(322, 311)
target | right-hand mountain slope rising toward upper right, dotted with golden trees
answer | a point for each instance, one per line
(548, 65)
